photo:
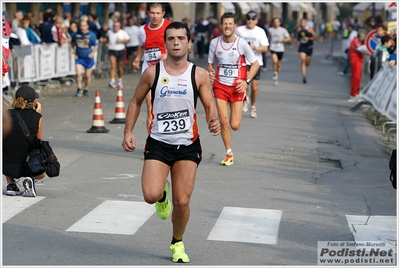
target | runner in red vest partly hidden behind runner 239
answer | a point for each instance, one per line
(152, 45)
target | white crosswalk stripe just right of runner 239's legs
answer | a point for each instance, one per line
(248, 225)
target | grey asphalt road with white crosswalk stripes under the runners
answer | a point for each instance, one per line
(302, 169)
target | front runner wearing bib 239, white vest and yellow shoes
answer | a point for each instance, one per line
(174, 151)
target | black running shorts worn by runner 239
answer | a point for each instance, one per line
(168, 154)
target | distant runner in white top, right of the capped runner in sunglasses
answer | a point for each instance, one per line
(279, 36)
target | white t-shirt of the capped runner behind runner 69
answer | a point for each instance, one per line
(256, 36)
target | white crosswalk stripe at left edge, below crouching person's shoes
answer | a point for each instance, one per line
(13, 205)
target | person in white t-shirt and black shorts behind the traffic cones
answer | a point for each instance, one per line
(117, 40)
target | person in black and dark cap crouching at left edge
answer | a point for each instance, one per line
(16, 146)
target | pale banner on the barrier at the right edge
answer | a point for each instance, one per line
(381, 91)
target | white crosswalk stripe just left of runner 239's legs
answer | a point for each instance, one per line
(114, 217)
